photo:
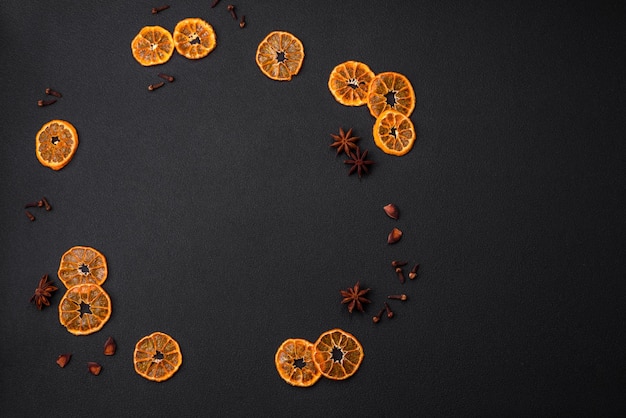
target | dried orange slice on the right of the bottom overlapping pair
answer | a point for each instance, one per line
(338, 354)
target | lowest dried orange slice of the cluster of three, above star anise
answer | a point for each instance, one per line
(394, 132)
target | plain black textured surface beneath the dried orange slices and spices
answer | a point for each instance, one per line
(229, 223)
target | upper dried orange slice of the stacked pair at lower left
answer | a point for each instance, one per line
(81, 265)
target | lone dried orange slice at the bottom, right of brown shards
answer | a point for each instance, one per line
(157, 357)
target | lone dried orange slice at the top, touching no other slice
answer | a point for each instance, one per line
(280, 55)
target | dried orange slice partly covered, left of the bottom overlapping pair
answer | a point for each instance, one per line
(295, 364)
